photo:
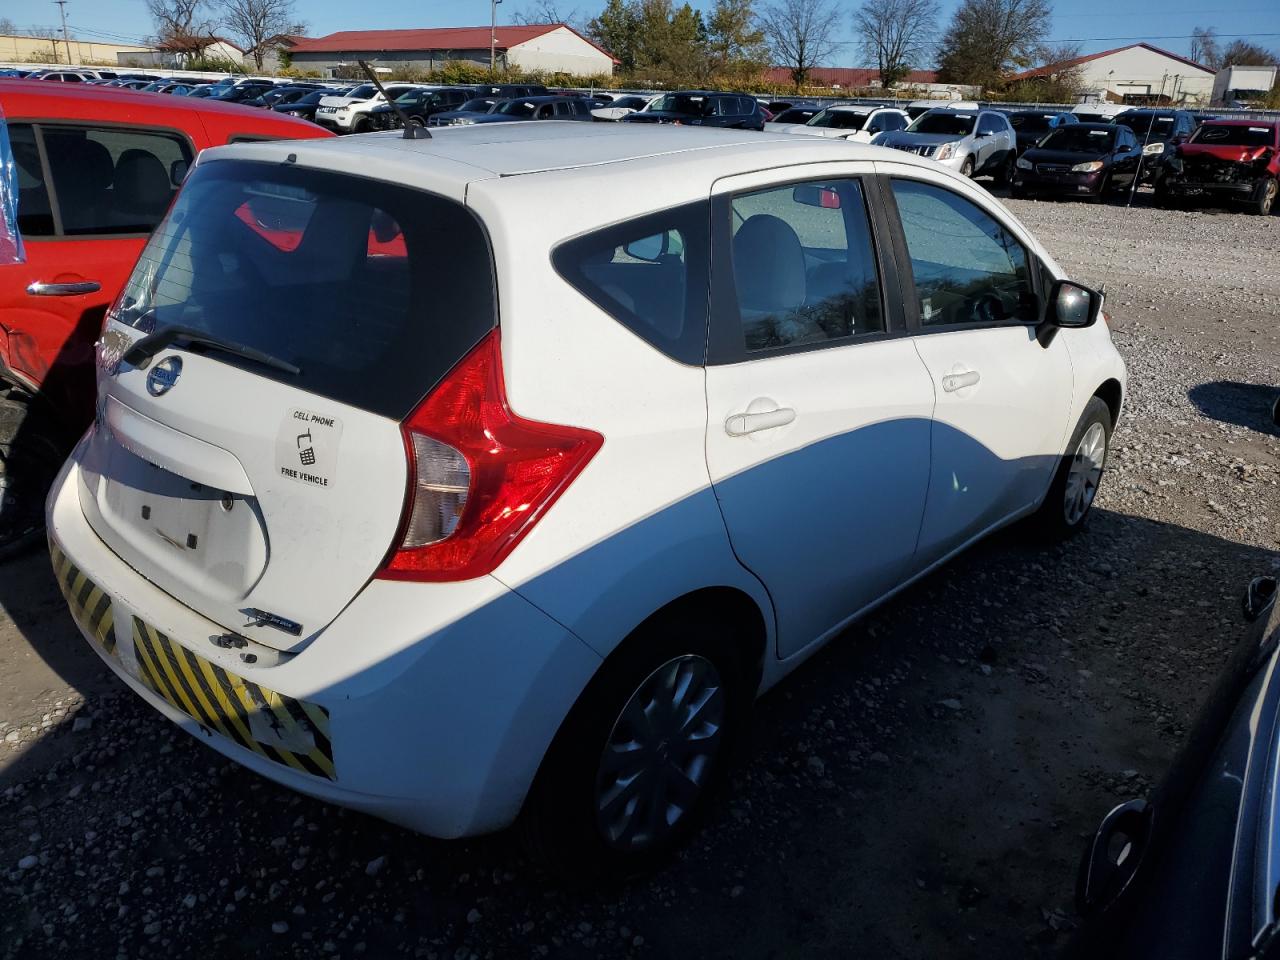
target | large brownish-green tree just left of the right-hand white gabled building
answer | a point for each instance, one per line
(989, 39)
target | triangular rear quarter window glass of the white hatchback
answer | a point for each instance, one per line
(648, 275)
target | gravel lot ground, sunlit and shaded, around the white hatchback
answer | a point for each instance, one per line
(918, 790)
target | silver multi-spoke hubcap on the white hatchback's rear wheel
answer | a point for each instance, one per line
(660, 753)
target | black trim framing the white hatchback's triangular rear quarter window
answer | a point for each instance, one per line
(691, 220)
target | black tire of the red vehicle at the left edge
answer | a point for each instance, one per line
(31, 452)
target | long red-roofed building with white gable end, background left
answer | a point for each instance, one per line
(554, 48)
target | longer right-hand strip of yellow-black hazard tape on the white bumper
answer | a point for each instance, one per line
(278, 728)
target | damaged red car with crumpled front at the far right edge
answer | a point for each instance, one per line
(1227, 162)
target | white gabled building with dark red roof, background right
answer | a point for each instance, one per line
(1139, 74)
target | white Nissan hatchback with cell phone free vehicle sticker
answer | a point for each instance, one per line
(419, 486)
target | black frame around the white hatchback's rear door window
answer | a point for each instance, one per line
(726, 344)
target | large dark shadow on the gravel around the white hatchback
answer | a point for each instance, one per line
(921, 789)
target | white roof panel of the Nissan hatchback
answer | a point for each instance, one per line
(456, 157)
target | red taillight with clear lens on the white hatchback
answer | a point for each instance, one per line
(479, 476)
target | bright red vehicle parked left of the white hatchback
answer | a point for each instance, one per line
(97, 170)
